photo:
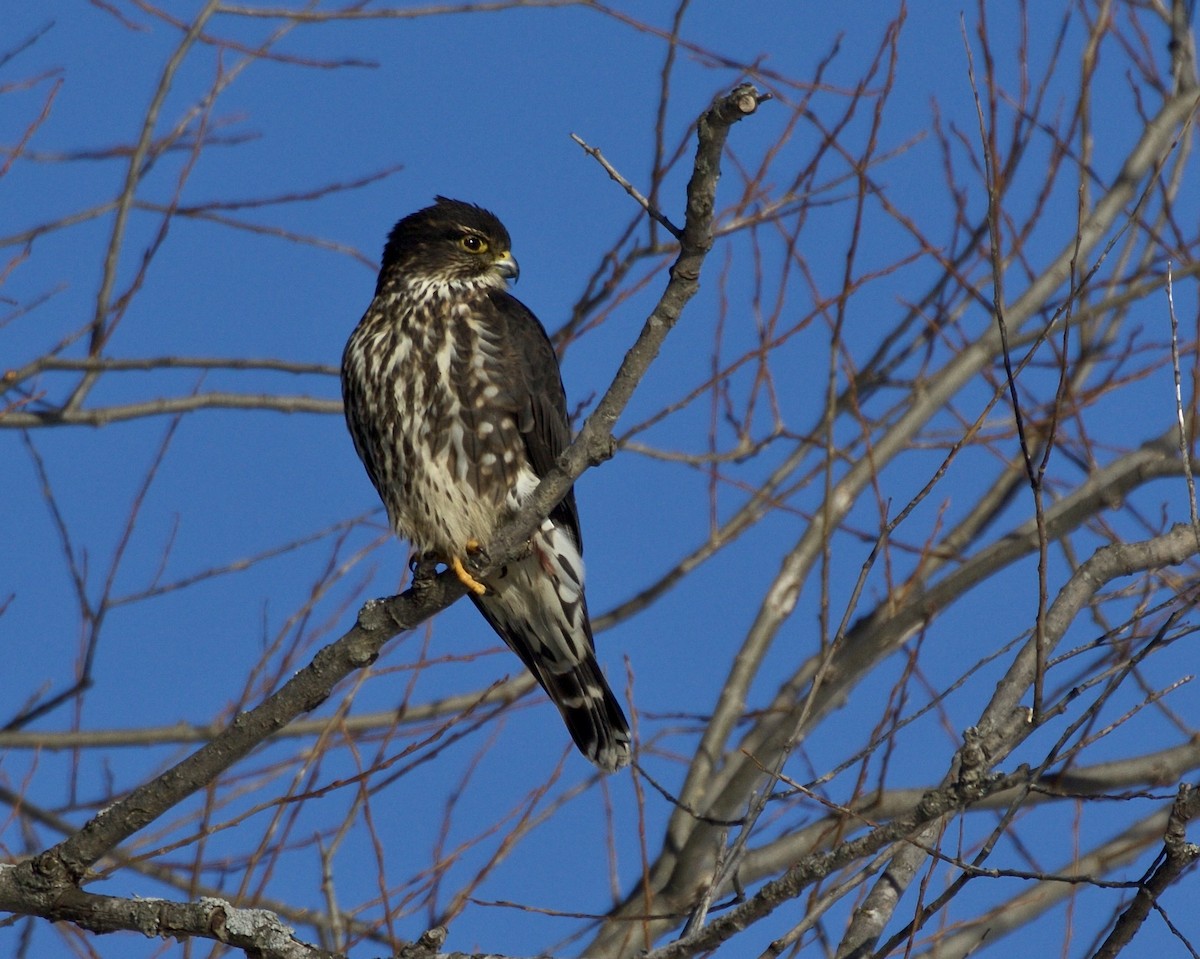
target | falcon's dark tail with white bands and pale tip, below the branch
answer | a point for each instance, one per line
(537, 607)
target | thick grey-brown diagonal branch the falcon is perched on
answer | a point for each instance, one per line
(53, 876)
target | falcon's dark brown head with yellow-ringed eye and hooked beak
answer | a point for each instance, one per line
(451, 243)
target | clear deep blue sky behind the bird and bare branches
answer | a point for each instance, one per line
(482, 109)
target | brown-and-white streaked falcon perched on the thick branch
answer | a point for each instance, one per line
(457, 407)
